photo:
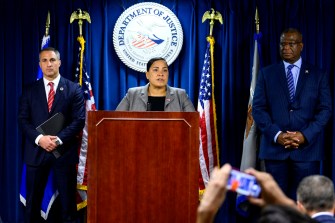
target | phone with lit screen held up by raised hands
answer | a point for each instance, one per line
(243, 183)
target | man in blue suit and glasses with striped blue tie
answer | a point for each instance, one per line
(291, 114)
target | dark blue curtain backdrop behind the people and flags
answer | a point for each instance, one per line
(22, 25)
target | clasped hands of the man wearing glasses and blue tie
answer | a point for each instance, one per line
(291, 140)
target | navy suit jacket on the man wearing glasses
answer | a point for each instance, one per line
(309, 113)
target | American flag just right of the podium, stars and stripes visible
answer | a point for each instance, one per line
(208, 151)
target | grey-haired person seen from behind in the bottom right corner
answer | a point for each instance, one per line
(315, 197)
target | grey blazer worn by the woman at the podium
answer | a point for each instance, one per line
(136, 99)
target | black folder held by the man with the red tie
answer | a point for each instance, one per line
(51, 127)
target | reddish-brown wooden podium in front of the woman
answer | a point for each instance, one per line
(143, 166)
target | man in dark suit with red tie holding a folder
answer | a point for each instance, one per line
(39, 150)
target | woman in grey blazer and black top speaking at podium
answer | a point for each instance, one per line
(157, 95)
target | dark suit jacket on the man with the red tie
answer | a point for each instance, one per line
(33, 111)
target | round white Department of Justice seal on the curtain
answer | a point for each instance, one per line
(146, 30)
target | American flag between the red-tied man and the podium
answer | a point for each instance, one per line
(84, 80)
